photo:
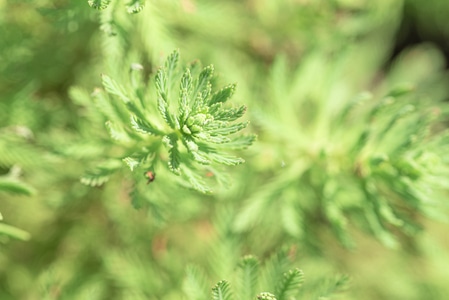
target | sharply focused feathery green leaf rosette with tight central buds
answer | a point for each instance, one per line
(186, 127)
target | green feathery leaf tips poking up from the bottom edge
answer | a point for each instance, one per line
(271, 281)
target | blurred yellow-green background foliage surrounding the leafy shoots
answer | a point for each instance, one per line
(90, 243)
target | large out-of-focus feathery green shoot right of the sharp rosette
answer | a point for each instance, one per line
(374, 161)
